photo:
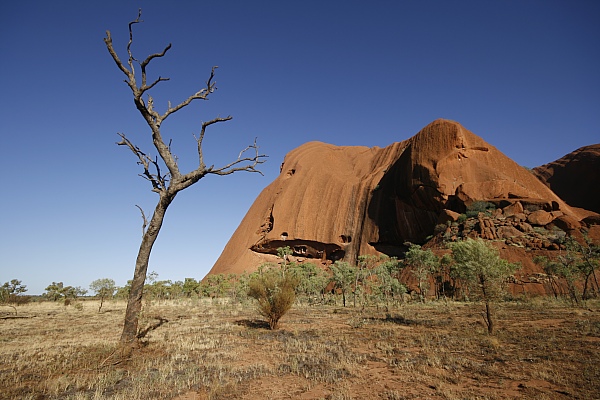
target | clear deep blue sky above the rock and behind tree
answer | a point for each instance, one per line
(524, 75)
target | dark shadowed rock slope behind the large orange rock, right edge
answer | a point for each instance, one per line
(575, 178)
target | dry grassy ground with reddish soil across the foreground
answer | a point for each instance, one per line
(542, 350)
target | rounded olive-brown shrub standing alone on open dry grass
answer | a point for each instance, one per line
(274, 289)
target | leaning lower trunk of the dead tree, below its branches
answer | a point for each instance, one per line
(134, 303)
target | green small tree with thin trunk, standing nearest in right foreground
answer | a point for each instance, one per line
(479, 266)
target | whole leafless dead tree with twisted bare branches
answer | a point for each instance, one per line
(165, 183)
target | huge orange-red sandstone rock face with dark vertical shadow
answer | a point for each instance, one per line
(332, 202)
